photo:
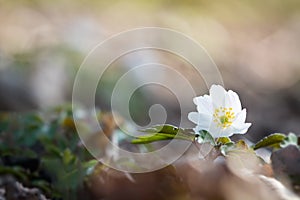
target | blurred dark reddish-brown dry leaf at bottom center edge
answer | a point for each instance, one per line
(110, 184)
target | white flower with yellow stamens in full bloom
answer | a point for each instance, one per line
(219, 113)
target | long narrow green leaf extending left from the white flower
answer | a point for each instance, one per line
(164, 132)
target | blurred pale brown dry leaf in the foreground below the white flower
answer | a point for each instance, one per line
(239, 176)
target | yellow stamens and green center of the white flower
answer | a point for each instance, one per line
(223, 117)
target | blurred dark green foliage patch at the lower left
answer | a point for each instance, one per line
(43, 150)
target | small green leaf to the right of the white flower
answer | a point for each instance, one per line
(272, 140)
